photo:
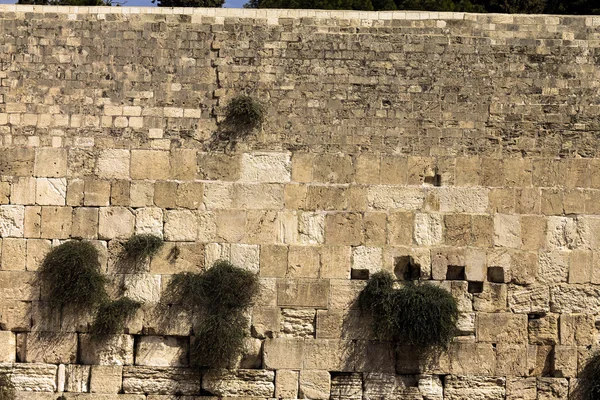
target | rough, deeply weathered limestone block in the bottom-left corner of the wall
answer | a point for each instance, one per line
(32, 377)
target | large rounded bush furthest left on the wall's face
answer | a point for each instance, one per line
(71, 275)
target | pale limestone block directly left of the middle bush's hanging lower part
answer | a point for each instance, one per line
(162, 351)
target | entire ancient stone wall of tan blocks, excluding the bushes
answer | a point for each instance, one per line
(391, 140)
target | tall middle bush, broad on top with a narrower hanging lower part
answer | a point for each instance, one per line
(218, 297)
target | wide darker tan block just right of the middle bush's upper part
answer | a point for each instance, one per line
(303, 293)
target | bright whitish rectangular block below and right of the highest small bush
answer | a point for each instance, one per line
(266, 167)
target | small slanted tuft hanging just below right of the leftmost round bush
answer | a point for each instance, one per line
(112, 316)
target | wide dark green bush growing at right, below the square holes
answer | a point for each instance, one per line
(420, 315)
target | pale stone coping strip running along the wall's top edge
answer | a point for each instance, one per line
(296, 13)
